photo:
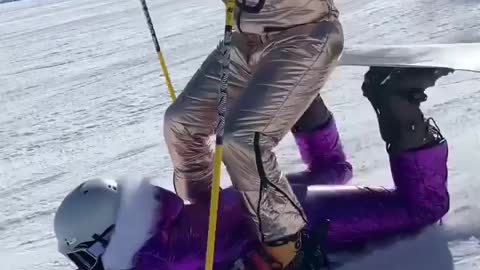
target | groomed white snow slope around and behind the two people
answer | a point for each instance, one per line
(81, 95)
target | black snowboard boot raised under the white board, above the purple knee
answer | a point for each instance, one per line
(396, 94)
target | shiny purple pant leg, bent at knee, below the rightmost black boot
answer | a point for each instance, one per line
(361, 214)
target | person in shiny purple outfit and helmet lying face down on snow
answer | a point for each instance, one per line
(128, 224)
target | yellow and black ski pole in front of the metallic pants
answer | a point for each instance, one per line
(222, 104)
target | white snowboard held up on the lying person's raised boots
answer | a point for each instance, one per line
(457, 56)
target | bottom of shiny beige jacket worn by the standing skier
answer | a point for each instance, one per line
(260, 16)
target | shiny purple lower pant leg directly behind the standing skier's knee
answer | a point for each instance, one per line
(322, 152)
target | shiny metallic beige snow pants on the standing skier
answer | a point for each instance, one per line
(274, 78)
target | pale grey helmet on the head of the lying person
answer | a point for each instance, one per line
(85, 220)
